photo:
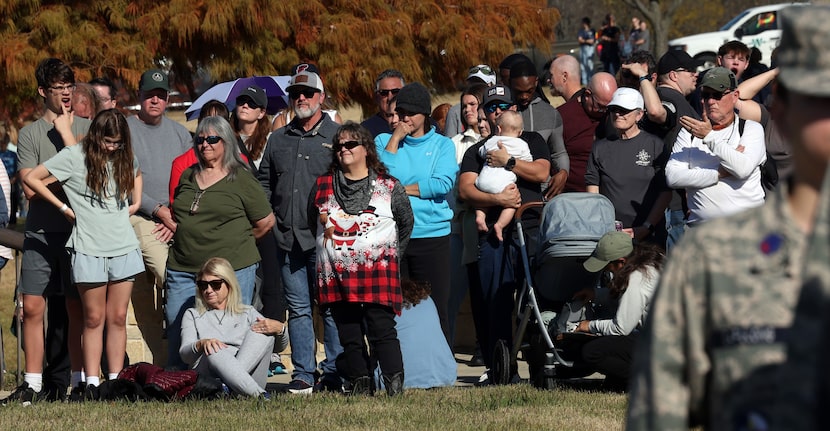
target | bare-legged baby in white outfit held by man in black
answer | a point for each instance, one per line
(493, 179)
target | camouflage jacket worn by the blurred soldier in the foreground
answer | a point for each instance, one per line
(718, 323)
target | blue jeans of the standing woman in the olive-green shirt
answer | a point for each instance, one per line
(181, 295)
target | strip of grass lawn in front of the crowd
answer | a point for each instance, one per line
(519, 407)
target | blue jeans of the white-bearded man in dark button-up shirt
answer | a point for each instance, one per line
(299, 269)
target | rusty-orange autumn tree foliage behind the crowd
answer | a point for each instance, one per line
(350, 41)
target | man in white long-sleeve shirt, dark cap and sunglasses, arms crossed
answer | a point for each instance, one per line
(717, 159)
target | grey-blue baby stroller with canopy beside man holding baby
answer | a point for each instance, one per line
(571, 226)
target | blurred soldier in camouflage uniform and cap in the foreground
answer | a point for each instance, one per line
(713, 351)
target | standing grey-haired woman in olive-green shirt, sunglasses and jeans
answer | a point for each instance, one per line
(220, 210)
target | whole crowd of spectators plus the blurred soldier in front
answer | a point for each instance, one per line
(382, 228)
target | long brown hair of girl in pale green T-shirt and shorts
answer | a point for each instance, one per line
(109, 123)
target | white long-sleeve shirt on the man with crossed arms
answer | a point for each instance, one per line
(694, 164)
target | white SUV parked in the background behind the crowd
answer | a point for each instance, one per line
(756, 27)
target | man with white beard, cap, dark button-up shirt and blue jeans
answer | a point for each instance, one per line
(294, 157)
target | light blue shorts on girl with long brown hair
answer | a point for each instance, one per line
(98, 270)
